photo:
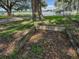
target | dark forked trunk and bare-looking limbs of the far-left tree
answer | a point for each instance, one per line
(7, 5)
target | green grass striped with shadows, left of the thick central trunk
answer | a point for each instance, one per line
(13, 27)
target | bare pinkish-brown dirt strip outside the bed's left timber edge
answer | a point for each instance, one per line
(9, 47)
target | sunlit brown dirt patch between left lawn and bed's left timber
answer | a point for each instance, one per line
(8, 47)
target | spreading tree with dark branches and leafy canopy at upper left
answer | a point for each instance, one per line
(9, 4)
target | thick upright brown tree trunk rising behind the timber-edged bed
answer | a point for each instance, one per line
(36, 8)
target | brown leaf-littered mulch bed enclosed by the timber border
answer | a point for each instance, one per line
(54, 45)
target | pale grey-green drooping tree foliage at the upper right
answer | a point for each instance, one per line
(72, 6)
